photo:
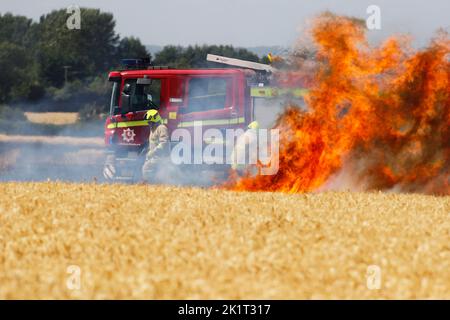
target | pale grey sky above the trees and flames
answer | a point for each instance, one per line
(245, 22)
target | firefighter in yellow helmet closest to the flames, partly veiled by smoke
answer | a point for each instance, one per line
(249, 137)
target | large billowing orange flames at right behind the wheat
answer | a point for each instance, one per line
(376, 118)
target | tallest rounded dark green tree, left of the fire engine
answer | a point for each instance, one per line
(87, 51)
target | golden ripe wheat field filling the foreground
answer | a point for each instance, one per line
(160, 242)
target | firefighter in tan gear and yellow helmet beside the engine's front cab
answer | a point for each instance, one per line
(158, 144)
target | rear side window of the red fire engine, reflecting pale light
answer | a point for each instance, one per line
(207, 94)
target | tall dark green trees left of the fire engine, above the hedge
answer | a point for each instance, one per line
(39, 58)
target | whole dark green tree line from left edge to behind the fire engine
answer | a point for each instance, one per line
(48, 66)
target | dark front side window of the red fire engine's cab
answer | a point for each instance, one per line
(144, 96)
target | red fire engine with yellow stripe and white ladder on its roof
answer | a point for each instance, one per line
(216, 98)
